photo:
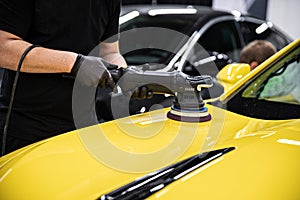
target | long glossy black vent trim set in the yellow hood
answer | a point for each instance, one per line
(151, 183)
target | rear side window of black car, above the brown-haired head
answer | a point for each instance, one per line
(254, 31)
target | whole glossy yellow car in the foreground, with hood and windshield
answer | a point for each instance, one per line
(245, 145)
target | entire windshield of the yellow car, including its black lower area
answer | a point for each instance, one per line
(274, 94)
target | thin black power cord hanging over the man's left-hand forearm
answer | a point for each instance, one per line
(13, 90)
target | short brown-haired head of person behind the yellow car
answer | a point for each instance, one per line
(256, 52)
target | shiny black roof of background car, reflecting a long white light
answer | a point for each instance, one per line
(183, 18)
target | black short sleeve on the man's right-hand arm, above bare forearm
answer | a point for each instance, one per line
(112, 29)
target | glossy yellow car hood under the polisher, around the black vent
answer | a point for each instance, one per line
(88, 163)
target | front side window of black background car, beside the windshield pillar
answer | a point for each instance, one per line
(216, 47)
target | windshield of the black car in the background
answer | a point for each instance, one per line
(163, 35)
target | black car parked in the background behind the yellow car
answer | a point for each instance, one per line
(216, 31)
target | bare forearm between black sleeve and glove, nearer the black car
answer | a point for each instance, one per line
(111, 53)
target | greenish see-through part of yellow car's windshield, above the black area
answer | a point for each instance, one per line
(281, 83)
